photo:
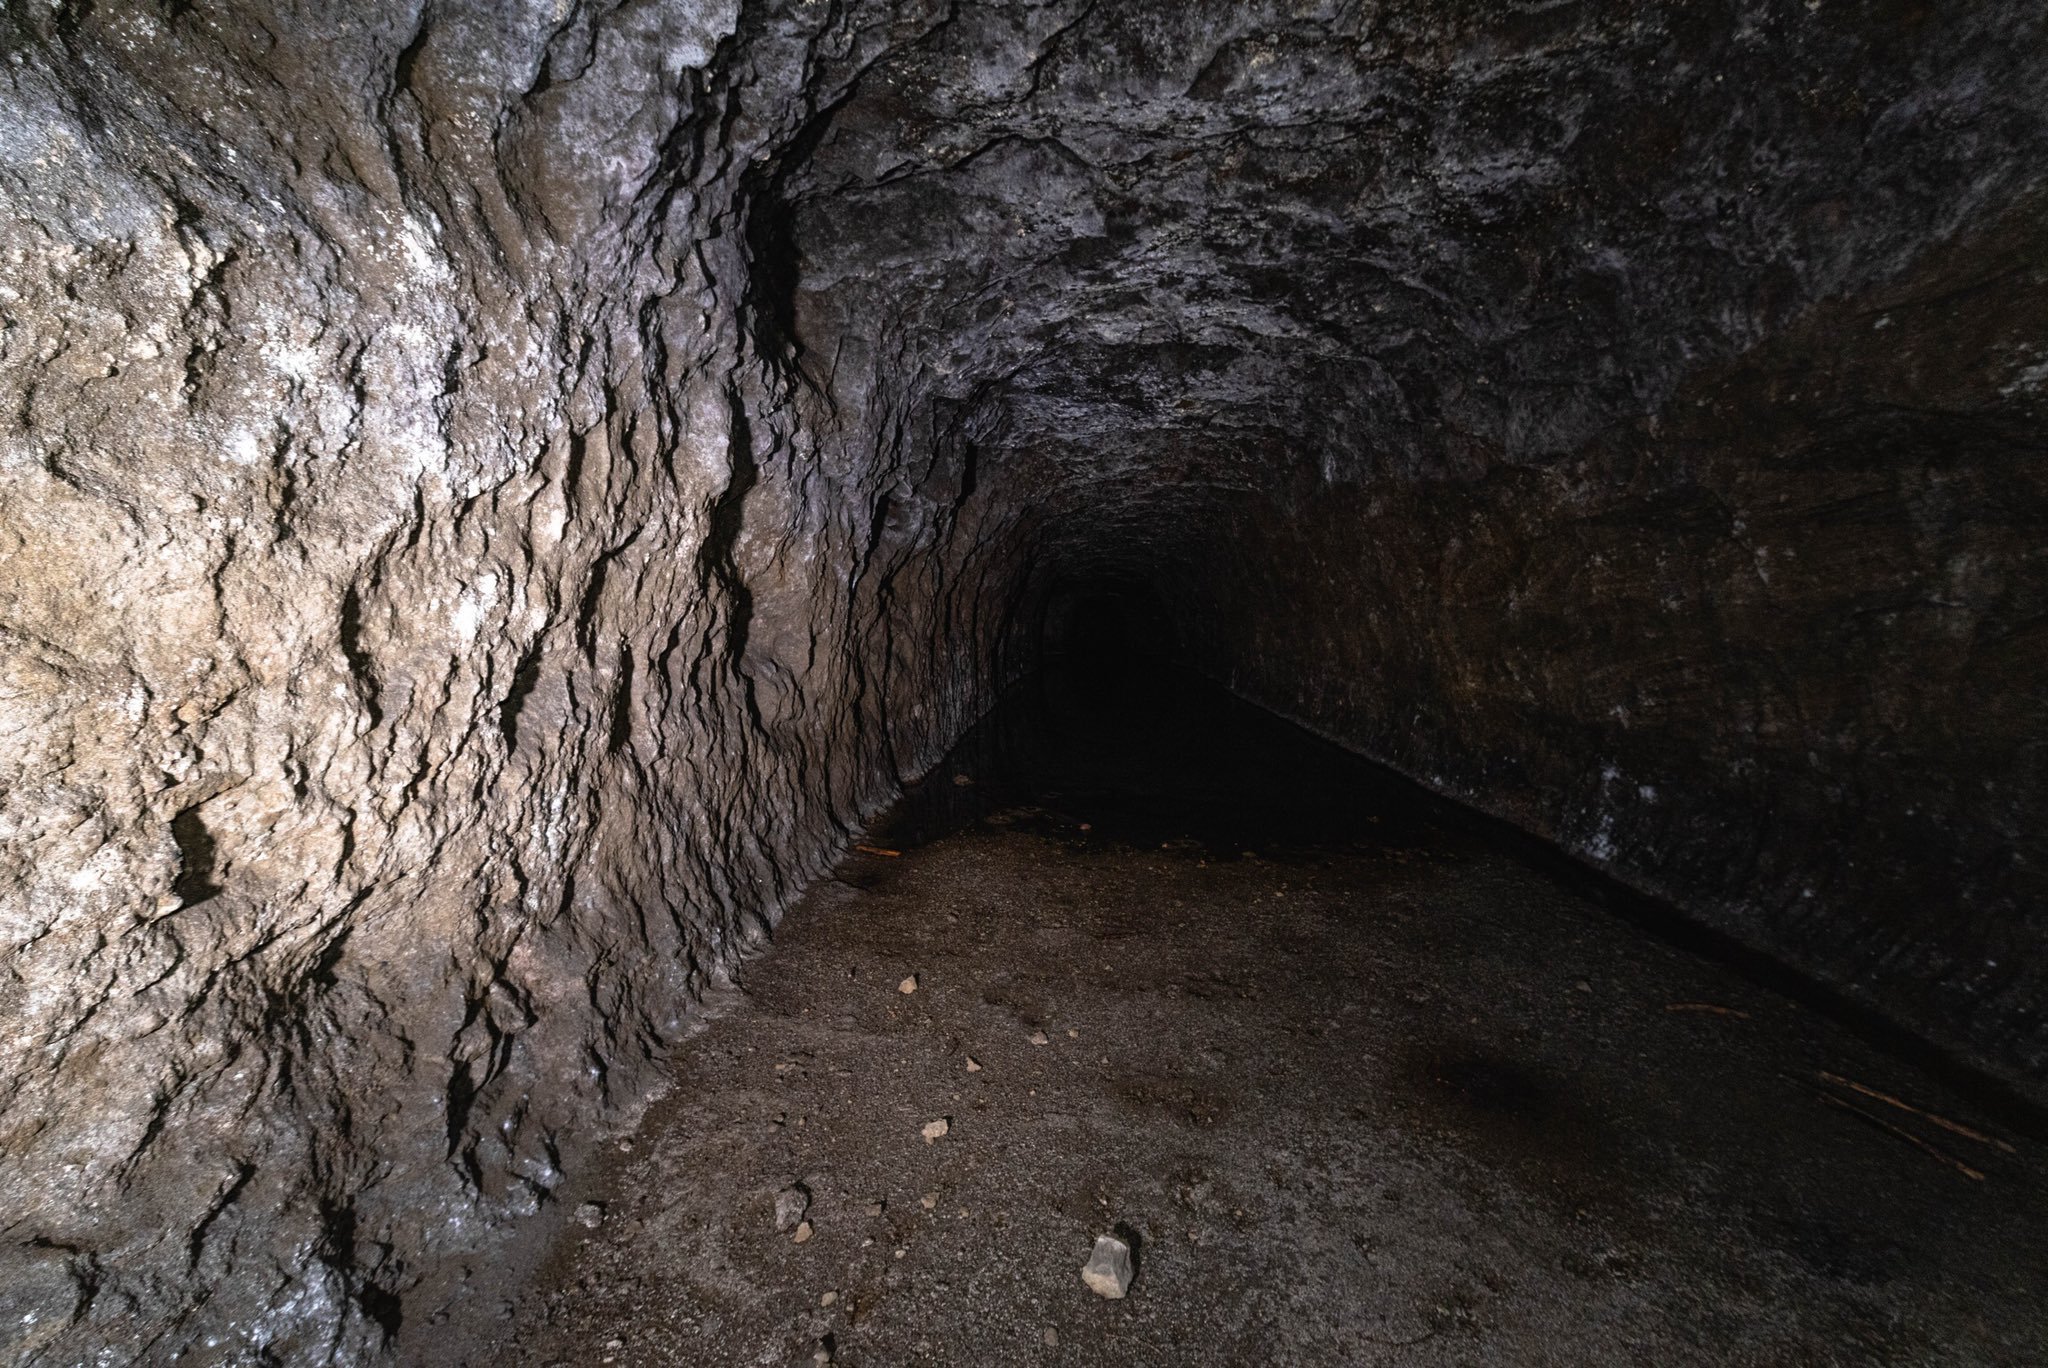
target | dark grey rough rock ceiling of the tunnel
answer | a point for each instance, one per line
(1246, 245)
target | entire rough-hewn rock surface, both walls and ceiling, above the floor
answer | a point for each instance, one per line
(495, 493)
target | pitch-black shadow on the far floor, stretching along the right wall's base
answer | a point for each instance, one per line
(1117, 738)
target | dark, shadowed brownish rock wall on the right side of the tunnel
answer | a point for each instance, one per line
(1775, 654)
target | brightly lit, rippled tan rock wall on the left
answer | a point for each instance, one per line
(437, 628)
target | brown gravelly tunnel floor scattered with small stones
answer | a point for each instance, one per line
(1365, 1082)
